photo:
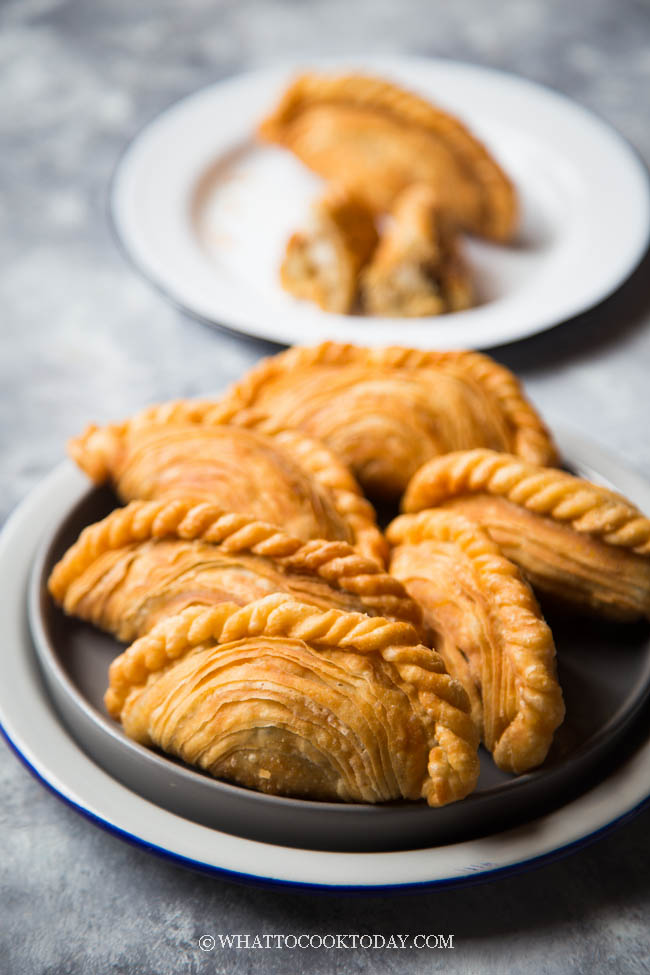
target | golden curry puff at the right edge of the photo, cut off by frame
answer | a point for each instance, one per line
(578, 542)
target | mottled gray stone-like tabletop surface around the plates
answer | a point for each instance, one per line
(82, 337)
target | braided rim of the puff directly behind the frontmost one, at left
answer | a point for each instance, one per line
(336, 562)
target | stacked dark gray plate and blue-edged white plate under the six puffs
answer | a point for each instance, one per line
(52, 712)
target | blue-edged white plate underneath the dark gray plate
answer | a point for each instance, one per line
(33, 728)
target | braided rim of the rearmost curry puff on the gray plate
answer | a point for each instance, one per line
(530, 436)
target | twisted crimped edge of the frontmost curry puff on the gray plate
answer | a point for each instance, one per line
(453, 766)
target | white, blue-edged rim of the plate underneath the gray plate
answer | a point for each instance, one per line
(609, 807)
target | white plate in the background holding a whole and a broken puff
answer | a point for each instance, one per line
(204, 213)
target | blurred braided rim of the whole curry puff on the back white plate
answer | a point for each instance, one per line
(364, 91)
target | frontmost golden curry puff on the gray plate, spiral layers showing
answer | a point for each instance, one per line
(293, 700)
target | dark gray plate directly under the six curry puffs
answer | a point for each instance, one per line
(604, 671)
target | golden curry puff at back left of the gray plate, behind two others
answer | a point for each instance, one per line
(181, 450)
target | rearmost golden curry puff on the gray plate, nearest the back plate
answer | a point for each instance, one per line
(386, 411)
